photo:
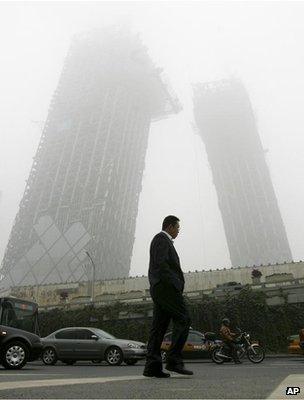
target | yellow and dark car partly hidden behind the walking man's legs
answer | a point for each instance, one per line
(198, 345)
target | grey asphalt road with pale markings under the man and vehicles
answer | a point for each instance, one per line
(85, 380)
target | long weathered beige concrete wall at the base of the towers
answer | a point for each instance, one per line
(132, 287)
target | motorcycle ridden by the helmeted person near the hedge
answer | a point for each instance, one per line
(254, 352)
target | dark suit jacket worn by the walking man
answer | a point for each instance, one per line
(164, 263)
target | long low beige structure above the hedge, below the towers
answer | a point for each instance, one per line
(136, 289)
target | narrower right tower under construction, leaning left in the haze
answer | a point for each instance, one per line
(252, 221)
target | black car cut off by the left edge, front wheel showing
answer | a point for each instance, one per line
(17, 347)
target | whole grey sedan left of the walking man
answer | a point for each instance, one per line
(79, 343)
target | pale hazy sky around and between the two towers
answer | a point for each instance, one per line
(259, 42)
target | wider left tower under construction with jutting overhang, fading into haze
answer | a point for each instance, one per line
(81, 197)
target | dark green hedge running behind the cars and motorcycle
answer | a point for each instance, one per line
(247, 310)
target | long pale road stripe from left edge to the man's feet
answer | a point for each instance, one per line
(63, 382)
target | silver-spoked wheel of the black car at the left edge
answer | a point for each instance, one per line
(15, 355)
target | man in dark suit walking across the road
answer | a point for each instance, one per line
(166, 287)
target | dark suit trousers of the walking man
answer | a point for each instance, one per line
(169, 305)
